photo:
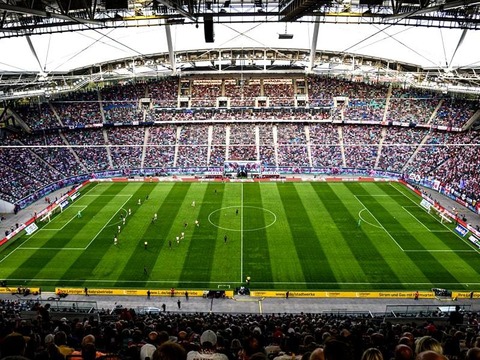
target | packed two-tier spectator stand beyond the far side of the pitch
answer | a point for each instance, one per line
(401, 130)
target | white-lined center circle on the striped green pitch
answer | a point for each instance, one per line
(232, 220)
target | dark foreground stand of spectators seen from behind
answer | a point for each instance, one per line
(121, 332)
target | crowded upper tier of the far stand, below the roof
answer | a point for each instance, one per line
(326, 98)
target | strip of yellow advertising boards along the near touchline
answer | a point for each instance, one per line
(271, 294)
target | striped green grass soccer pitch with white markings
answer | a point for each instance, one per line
(285, 236)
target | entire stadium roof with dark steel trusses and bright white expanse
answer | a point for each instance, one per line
(51, 40)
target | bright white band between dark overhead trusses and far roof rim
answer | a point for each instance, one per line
(63, 52)
